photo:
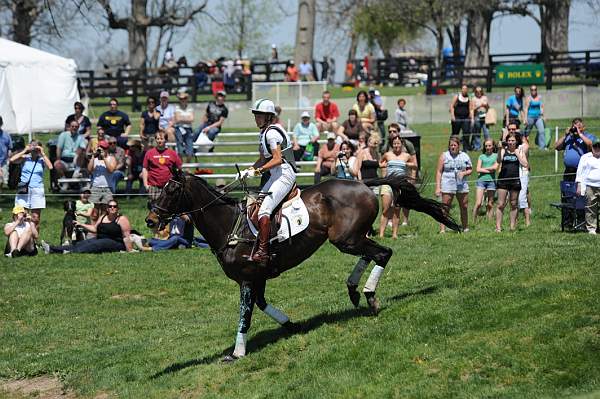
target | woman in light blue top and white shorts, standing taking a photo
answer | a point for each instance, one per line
(32, 174)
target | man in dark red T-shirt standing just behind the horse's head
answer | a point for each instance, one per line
(157, 165)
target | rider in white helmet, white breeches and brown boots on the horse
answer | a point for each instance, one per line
(277, 158)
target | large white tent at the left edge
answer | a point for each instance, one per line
(37, 89)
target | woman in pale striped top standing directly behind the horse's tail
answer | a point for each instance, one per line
(395, 162)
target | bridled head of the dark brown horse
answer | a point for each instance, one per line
(168, 204)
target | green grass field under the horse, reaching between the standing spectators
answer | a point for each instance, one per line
(469, 315)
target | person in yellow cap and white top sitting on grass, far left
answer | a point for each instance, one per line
(21, 233)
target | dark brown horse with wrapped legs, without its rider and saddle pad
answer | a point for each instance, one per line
(341, 211)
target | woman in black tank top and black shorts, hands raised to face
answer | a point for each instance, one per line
(509, 184)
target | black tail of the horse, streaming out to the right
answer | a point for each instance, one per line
(406, 195)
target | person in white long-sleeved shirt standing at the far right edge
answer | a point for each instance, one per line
(588, 184)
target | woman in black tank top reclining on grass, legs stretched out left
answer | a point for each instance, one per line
(112, 235)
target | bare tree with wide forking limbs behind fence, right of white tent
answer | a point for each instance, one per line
(173, 13)
